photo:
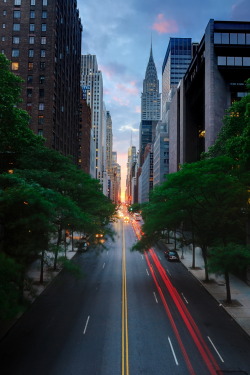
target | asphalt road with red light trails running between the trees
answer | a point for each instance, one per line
(129, 314)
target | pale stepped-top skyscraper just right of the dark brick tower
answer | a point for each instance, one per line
(91, 81)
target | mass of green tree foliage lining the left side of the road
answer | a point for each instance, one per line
(46, 194)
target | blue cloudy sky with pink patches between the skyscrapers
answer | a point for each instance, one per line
(119, 33)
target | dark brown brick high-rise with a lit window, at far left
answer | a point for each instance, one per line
(42, 39)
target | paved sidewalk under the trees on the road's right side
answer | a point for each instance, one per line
(240, 291)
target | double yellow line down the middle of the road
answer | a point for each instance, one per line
(125, 362)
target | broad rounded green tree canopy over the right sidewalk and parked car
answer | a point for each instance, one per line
(206, 196)
